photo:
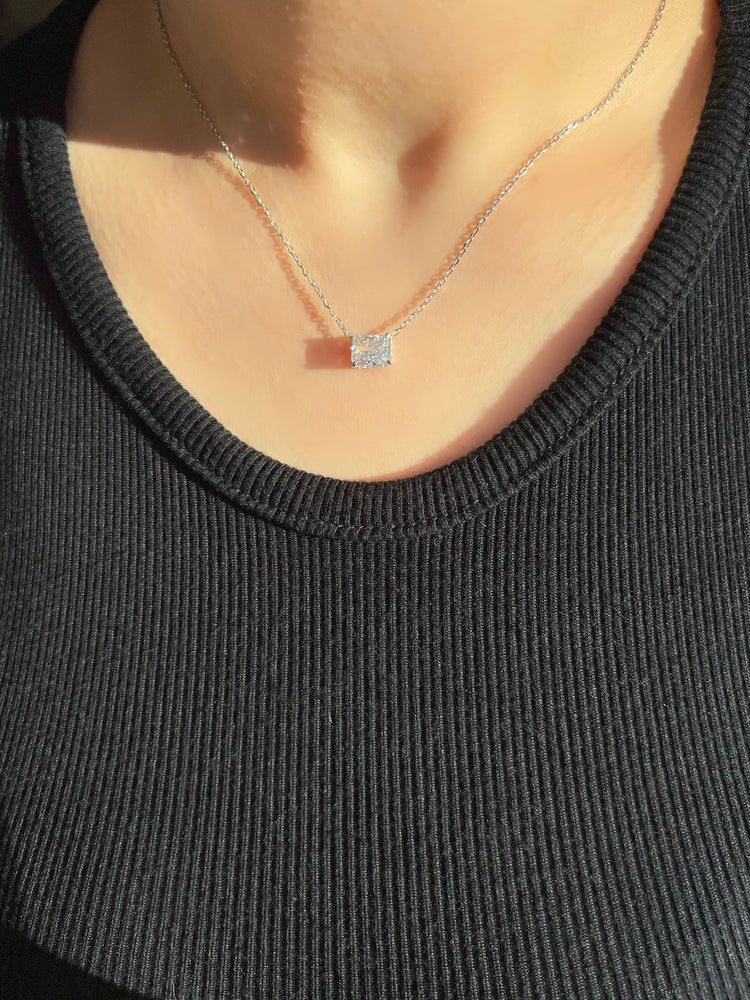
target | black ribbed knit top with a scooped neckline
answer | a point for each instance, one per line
(480, 734)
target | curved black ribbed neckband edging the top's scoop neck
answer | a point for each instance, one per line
(465, 487)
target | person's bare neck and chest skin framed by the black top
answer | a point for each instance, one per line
(375, 132)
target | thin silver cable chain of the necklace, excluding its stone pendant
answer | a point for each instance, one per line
(467, 242)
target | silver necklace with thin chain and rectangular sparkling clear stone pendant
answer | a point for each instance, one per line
(375, 350)
